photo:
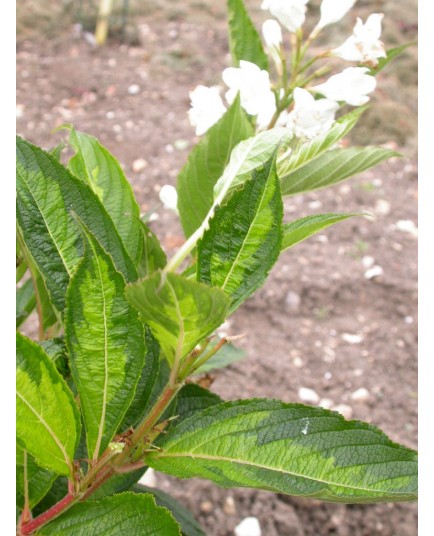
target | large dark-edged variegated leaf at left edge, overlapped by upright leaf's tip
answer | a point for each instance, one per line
(47, 195)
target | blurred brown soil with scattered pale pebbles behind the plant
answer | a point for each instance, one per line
(317, 322)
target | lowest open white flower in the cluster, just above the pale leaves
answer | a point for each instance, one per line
(311, 118)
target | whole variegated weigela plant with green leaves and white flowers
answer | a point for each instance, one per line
(105, 393)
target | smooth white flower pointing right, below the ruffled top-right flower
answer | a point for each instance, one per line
(352, 85)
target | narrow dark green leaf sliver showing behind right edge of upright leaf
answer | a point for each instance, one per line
(146, 384)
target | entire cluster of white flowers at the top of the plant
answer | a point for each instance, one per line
(307, 110)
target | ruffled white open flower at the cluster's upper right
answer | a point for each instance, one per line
(364, 45)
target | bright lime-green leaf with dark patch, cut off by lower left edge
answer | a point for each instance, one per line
(47, 434)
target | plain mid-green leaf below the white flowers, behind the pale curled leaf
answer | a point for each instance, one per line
(206, 164)
